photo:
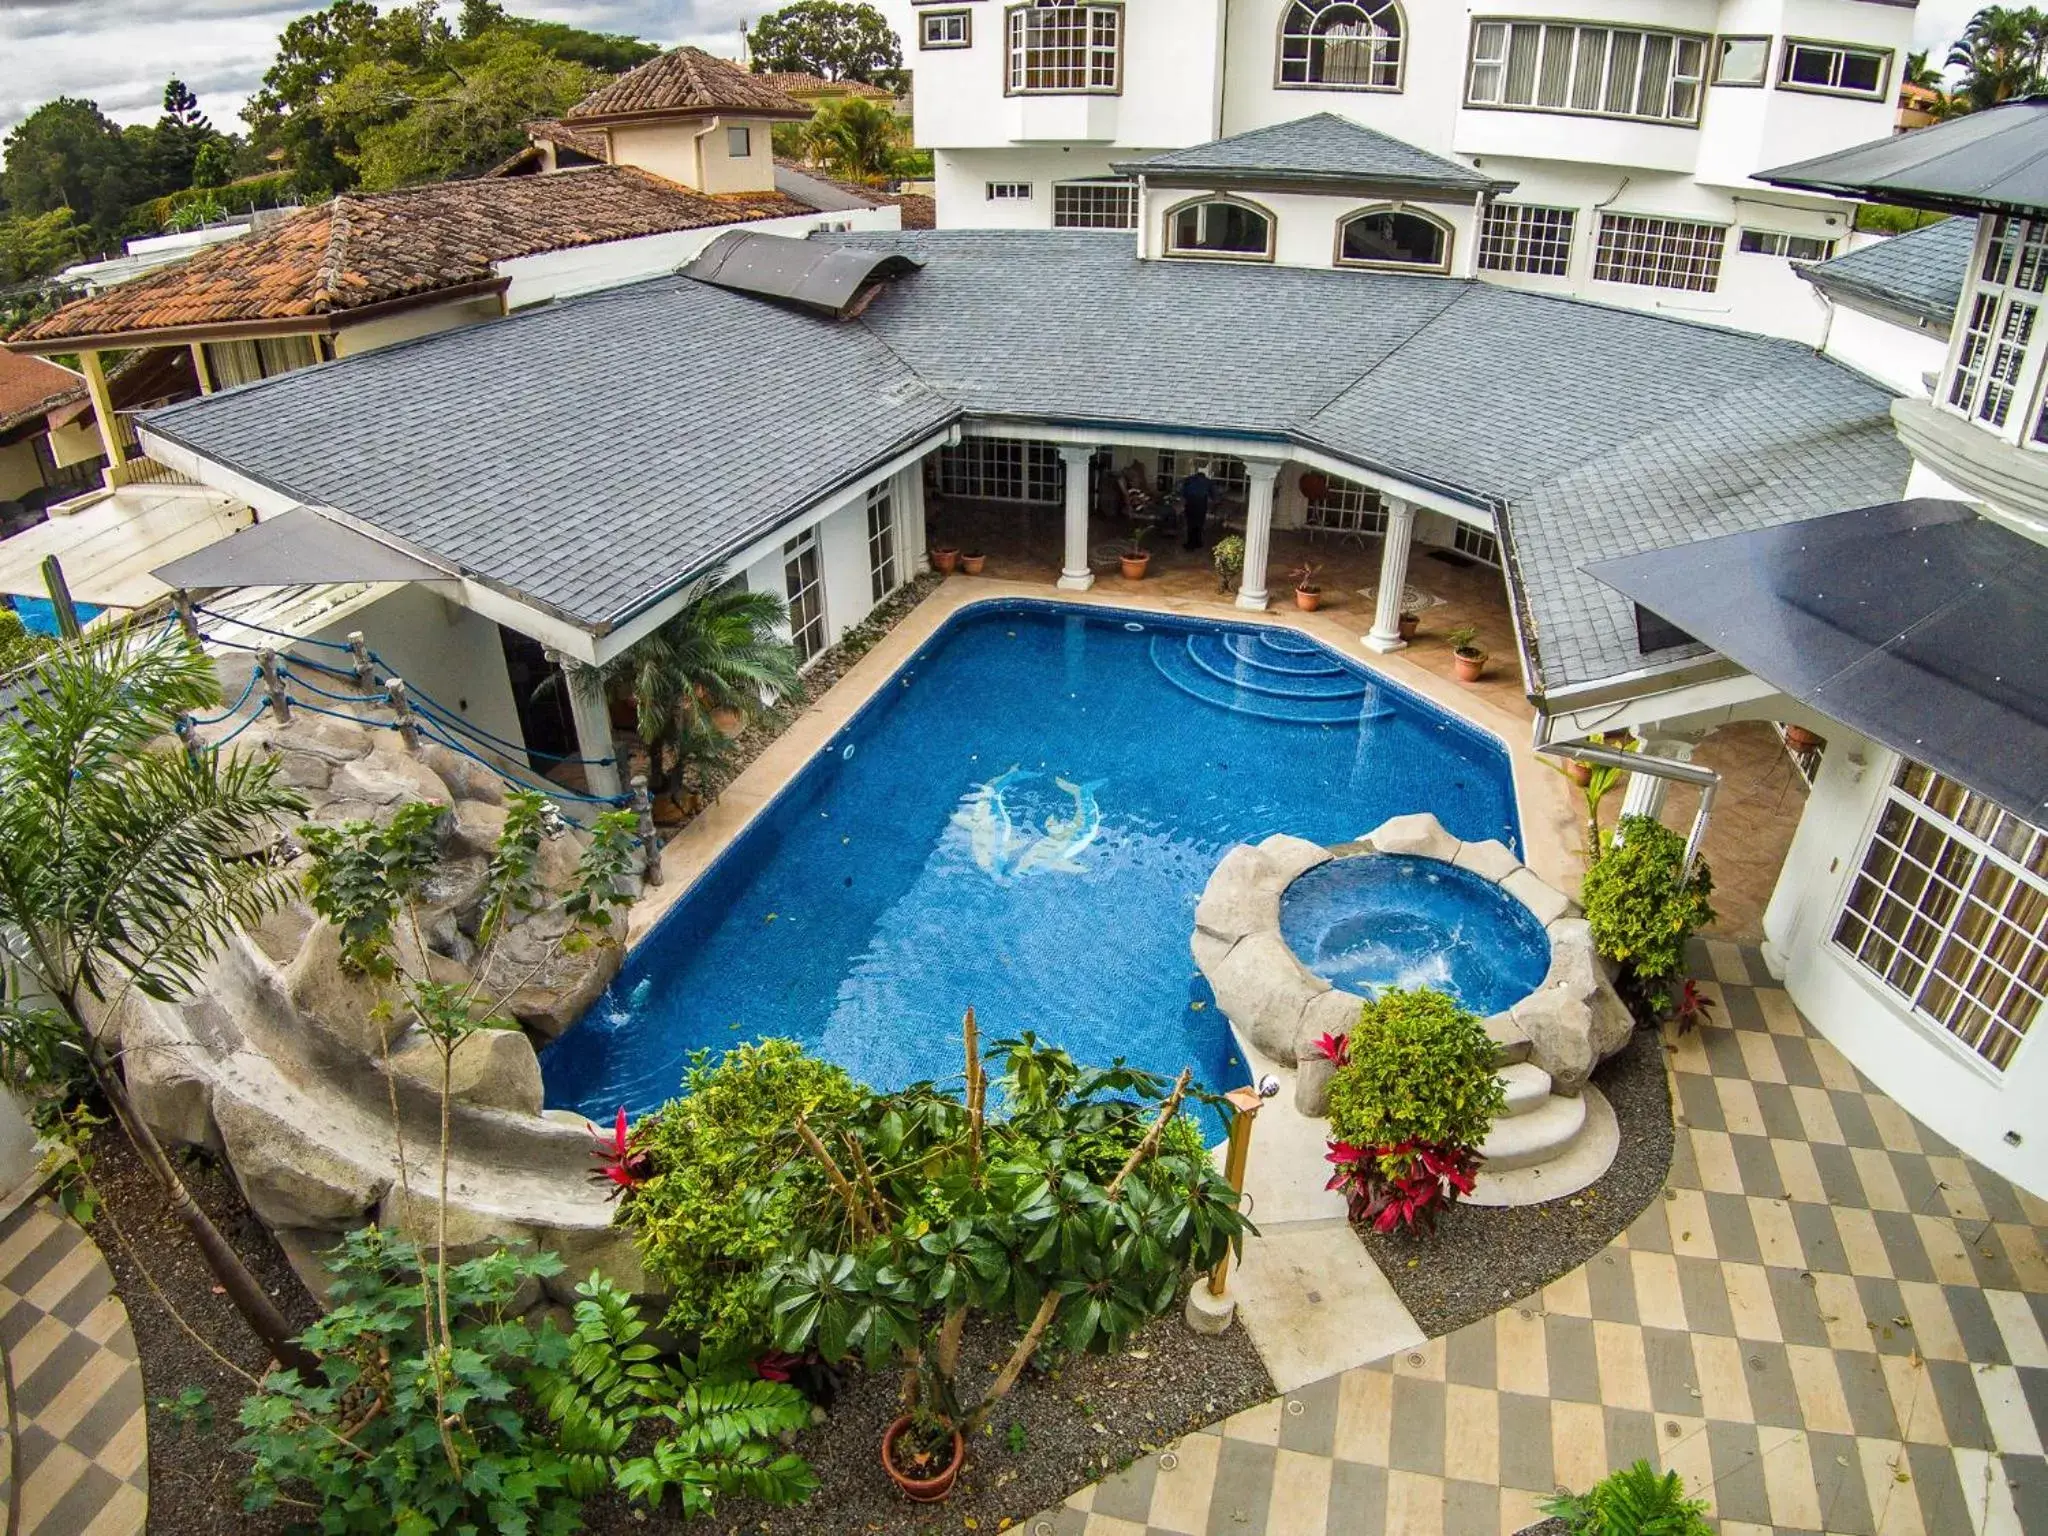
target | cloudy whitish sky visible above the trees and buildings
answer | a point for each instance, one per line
(120, 52)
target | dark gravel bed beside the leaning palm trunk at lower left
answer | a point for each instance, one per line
(196, 1474)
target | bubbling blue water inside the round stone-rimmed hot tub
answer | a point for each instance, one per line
(1390, 921)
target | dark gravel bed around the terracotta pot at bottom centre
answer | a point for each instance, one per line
(1058, 1433)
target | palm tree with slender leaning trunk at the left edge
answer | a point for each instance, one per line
(126, 865)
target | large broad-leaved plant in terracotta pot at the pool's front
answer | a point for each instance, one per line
(1080, 1213)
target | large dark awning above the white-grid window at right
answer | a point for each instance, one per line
(1916, 624)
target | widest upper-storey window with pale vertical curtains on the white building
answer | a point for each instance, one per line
(1547, 67)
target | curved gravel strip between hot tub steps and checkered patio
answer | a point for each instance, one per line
(1486, 1256)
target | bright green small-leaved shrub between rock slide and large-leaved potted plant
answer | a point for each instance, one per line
(730, 1187)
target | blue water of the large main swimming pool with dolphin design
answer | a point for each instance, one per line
(1023, 820)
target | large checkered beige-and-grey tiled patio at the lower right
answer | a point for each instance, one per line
(1832, 1322)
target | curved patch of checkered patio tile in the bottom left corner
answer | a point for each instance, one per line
(79, 1461)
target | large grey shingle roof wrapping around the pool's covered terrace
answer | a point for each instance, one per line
(605, 450)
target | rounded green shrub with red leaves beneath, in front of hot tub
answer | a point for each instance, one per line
(1410, 1105)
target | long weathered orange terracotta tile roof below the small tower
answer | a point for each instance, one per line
(374, 249)
